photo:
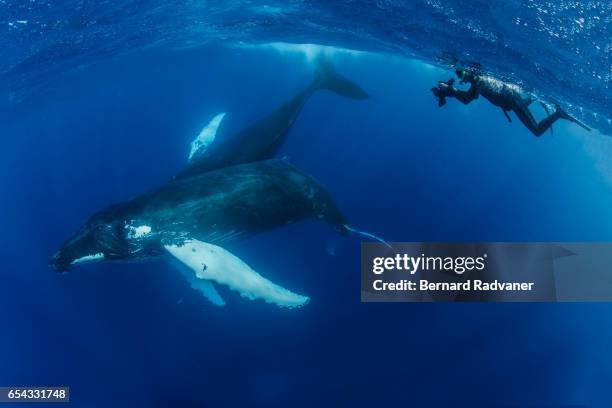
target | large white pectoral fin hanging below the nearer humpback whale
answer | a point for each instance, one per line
(211, 262)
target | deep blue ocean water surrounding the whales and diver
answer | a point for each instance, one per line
(102, 100)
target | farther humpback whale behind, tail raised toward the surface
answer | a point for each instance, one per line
(261, 140)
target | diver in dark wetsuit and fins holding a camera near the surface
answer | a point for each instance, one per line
(507, 96)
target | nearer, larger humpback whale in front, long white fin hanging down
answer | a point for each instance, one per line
(188, 219)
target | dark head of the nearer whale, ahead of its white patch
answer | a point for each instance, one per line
(96, 241)
